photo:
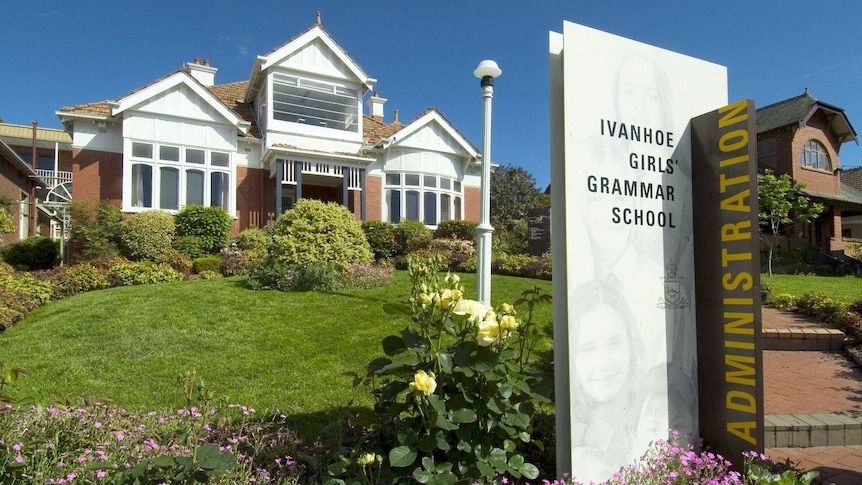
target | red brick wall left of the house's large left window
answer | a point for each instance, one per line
(97, 176)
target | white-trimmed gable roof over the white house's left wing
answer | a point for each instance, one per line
(110, 108)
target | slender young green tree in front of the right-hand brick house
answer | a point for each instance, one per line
(782, 202)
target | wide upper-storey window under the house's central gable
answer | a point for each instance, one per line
(317, 103)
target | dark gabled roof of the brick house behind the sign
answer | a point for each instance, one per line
(795, 112)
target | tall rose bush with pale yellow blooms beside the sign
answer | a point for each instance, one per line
(453, 403)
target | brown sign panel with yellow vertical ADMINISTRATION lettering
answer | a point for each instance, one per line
(727, 280)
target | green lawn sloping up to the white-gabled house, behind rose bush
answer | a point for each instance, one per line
(265, 349)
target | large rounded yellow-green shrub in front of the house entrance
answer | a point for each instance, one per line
(320, 234)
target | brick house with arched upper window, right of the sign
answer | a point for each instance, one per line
(802, 136)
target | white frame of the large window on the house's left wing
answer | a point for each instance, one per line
(156, 164)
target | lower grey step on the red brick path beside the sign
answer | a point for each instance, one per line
(809, 430)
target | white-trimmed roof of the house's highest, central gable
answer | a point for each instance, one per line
(315, 32)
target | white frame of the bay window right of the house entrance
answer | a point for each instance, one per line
(456, 204)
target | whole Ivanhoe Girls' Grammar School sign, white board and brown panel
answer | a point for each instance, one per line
(646, 337)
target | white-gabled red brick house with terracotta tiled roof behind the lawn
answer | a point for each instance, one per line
(295, 128)
